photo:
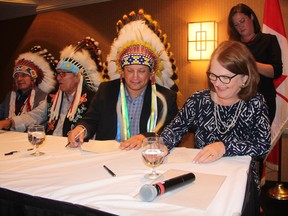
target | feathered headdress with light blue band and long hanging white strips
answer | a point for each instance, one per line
(83, 59)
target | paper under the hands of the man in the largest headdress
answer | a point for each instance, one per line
(101, 146)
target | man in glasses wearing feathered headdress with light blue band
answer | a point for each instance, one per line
(78, 76)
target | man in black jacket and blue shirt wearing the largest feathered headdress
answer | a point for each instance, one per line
(133, 103)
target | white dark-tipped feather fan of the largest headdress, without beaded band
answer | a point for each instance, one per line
(139, 29)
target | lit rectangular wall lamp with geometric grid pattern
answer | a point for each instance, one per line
(202, 40)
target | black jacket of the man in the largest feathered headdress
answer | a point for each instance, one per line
(101, 118)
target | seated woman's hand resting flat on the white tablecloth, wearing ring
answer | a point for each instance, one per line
(210, 153)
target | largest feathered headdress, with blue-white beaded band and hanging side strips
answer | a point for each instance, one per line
(140, 41)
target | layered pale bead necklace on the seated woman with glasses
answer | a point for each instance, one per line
(225, 125)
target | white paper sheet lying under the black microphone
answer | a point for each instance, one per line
(199, 194)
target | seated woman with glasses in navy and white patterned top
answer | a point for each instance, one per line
(230, 118)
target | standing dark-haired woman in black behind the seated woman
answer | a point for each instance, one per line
(243, 25)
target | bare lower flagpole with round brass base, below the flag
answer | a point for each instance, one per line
(279, 192)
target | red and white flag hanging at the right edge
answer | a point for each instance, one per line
(273, 24)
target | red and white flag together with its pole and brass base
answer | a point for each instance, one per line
(273, 24)
